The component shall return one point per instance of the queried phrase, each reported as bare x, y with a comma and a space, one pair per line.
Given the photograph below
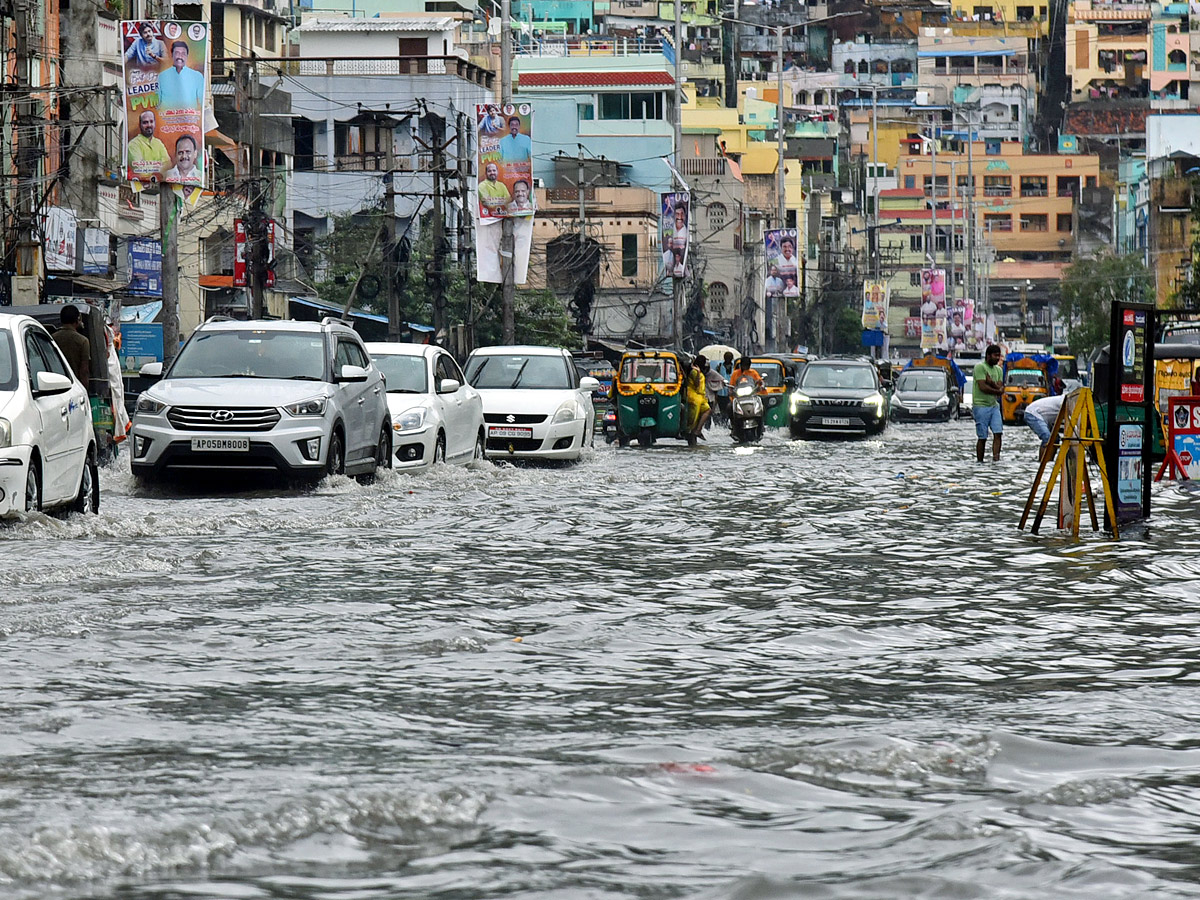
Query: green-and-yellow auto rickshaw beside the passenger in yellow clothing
647, 393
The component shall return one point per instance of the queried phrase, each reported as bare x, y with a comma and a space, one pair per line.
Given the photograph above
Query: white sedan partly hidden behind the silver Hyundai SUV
436, 417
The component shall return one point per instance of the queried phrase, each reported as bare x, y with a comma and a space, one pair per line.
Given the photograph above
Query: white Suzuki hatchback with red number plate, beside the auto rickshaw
536, 404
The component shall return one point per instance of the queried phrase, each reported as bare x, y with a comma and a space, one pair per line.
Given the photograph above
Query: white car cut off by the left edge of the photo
47, 443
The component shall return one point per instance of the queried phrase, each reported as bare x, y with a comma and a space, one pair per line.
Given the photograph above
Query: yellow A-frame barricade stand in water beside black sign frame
1081, 439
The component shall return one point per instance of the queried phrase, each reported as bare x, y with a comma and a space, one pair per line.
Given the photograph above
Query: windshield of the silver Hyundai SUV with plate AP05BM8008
298, 356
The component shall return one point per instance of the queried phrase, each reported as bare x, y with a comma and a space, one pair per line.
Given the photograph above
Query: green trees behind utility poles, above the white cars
356, 245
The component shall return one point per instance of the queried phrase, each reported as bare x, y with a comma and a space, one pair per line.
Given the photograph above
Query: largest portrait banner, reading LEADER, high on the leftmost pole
166, 76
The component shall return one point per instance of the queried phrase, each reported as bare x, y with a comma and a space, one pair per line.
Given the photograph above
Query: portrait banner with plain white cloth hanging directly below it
505, 175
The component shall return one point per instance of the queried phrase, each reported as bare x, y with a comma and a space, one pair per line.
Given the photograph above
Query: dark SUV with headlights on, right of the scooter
838, 397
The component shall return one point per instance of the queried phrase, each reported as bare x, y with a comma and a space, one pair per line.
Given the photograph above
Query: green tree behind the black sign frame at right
1089, 289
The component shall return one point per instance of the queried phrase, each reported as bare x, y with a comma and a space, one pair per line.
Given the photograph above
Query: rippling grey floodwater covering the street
813, 669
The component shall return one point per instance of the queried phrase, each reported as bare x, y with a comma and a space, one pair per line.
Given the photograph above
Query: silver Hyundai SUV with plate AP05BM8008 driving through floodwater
299, 398
